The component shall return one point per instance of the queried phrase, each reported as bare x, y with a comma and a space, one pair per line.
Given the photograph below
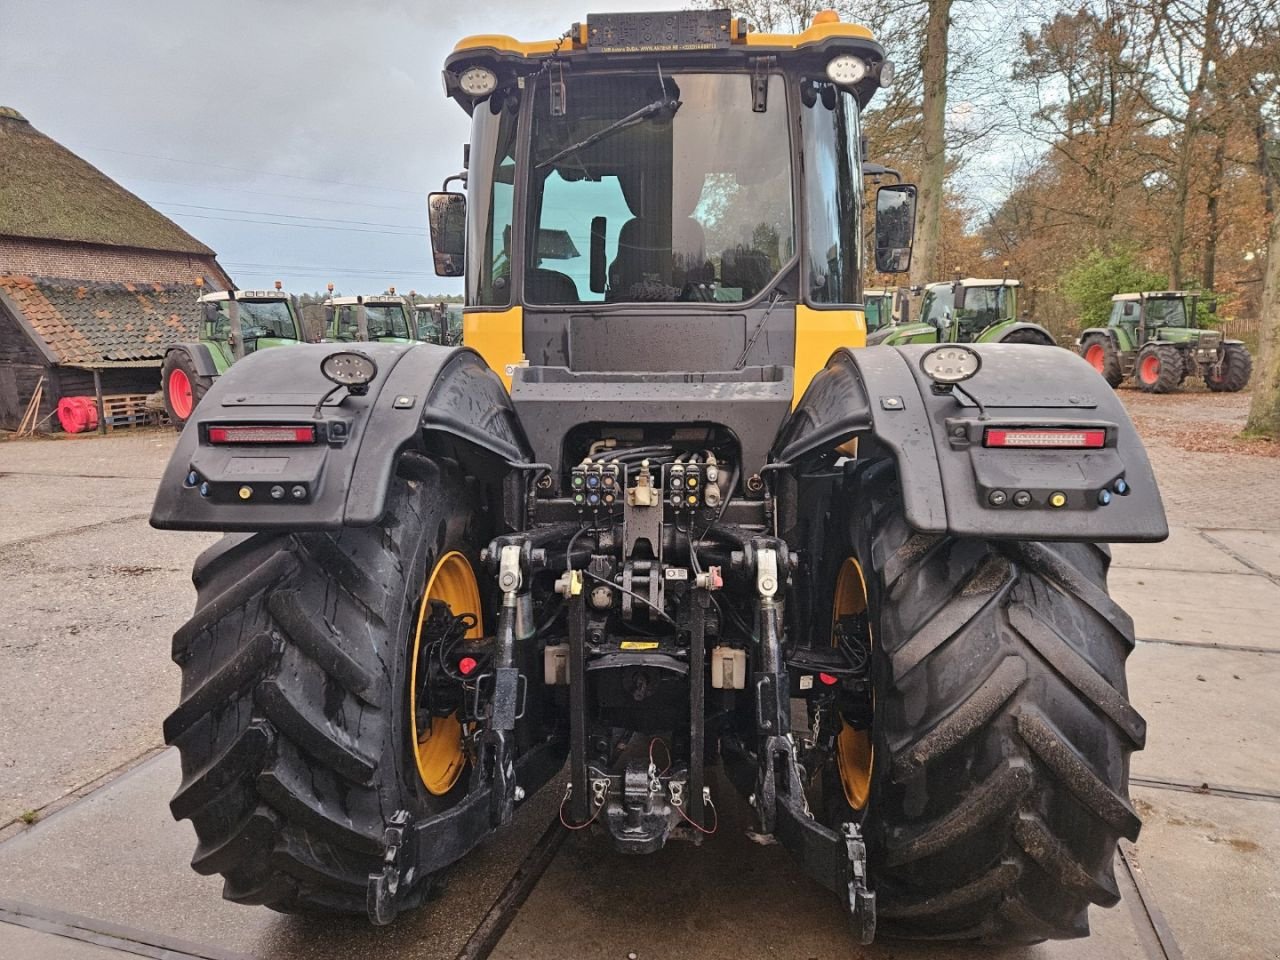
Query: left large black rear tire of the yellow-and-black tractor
295, 724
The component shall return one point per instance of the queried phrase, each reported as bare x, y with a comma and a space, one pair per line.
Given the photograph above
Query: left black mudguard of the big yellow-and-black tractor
342, 478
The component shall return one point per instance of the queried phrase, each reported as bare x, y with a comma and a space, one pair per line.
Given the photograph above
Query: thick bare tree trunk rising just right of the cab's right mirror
925, 266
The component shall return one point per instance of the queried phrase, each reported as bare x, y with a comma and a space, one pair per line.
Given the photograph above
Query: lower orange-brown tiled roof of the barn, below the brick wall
99, 323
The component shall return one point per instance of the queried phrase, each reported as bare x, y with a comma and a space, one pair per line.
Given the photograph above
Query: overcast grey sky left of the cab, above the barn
299, 139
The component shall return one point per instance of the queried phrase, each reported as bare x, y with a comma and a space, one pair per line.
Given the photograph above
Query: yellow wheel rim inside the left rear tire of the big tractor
440, 751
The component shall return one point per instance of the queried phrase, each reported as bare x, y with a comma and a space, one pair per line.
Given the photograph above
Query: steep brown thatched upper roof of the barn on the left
48, 193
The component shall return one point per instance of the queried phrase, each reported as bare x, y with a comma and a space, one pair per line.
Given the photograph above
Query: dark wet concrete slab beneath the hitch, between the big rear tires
730, 898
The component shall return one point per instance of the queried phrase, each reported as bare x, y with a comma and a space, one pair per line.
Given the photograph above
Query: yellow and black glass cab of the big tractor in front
689, 196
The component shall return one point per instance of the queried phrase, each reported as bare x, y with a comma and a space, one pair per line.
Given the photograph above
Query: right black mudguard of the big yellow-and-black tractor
950, 478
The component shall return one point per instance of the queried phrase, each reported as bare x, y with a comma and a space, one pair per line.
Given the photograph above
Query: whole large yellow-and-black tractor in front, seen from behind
662, 525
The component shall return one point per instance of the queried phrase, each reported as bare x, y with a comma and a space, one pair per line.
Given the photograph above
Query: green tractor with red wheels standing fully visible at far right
1156, 340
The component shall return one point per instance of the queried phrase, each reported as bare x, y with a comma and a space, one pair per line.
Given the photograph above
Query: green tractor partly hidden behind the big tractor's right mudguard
968, 310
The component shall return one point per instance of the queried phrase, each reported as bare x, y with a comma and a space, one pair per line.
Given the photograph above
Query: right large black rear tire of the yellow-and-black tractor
1002, 729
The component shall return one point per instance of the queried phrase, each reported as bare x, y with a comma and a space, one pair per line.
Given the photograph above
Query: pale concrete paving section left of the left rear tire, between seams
86, 680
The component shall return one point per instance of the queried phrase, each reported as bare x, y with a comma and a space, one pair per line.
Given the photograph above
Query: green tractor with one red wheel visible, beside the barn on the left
234, 326
